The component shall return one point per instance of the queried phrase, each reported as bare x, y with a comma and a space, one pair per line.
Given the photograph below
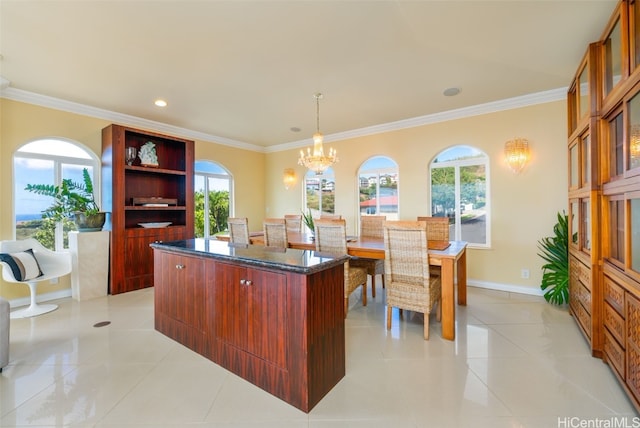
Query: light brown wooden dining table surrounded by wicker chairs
451, 256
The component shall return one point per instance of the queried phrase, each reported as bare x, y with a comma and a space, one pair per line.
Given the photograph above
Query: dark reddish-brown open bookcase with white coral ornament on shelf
147, 203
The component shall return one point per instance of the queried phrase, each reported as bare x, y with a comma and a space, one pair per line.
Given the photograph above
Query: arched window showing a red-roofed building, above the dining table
378, 184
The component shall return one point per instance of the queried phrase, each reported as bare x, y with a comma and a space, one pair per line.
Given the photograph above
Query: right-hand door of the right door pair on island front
266, 313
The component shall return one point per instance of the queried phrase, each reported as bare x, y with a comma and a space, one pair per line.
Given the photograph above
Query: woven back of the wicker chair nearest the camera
406, 253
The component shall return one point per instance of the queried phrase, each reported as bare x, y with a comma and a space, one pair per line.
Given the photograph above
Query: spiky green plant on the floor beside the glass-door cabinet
554, 250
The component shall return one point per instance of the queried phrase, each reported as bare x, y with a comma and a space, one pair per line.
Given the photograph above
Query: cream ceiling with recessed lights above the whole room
247, 71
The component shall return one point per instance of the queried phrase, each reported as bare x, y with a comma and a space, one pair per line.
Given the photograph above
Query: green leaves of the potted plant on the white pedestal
68, 198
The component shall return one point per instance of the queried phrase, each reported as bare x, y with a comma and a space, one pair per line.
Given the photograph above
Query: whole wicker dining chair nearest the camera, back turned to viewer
409, 285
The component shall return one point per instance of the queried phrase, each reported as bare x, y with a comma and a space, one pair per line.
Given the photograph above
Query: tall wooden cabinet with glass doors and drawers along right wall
605, 206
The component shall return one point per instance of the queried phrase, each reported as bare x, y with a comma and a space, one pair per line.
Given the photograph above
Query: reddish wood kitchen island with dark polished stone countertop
272, 316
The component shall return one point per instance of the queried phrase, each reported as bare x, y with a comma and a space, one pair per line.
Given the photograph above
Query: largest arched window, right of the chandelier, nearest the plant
459, 179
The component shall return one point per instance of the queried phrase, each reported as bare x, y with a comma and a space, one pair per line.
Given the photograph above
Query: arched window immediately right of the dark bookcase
213, 198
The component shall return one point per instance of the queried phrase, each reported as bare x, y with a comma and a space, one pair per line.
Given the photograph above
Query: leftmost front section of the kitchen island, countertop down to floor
180, 299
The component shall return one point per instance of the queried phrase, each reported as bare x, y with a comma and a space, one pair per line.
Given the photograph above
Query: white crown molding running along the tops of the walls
461, 113
